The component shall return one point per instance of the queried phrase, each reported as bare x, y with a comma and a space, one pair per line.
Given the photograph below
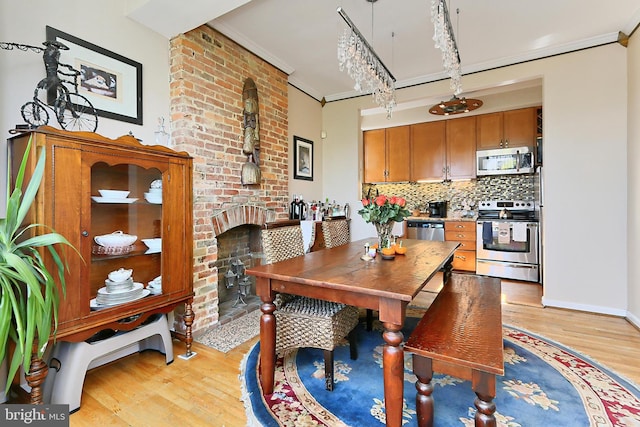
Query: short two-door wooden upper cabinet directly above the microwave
513, 128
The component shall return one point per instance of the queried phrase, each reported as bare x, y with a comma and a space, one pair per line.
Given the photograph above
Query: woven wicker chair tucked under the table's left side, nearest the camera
302, 321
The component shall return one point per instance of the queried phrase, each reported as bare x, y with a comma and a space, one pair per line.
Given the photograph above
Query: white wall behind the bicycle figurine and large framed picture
100, 23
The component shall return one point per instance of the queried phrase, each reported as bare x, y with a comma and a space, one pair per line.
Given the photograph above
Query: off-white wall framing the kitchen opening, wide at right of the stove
585, 122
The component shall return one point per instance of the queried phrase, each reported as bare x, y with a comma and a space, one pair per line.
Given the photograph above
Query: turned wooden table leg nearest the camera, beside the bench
393, 366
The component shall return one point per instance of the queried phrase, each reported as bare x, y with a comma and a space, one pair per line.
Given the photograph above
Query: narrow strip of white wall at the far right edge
634, 179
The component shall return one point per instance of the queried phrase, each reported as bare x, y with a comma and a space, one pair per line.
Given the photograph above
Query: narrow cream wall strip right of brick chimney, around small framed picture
305, 121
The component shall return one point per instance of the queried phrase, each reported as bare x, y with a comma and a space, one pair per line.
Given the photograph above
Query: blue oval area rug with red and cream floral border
545, 384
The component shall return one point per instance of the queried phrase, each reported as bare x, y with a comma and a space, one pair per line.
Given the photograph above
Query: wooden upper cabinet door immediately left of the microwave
461, 148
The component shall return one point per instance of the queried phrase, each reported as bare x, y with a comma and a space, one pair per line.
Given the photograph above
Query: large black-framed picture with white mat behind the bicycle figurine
111, 82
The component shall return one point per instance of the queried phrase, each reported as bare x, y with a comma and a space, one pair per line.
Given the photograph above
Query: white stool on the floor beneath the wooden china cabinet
76, 358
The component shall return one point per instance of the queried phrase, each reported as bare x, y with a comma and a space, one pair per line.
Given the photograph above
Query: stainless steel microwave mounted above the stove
505, 161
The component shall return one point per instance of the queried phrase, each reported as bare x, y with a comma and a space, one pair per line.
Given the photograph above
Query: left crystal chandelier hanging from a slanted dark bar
364, 66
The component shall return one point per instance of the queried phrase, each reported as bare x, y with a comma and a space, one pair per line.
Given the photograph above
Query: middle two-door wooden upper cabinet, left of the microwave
443, 150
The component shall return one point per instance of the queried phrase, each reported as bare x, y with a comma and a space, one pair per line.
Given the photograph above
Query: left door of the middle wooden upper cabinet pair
428, 151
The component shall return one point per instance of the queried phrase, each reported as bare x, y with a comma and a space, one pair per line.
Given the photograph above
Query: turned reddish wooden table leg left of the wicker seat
267, 346
